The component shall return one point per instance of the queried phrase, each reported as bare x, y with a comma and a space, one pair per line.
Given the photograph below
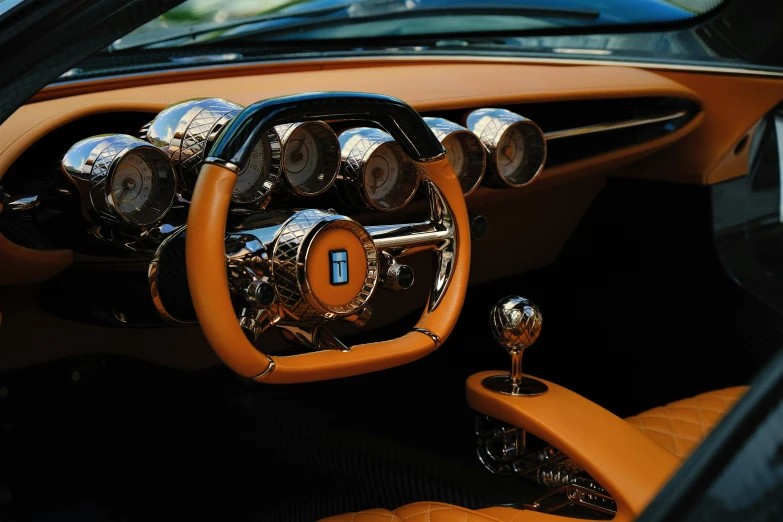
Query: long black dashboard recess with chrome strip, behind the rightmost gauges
576, 130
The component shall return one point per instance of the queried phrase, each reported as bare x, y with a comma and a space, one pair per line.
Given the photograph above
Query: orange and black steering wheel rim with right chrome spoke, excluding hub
446, 233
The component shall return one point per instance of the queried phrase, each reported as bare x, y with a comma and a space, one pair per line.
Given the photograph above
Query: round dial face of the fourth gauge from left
390, 180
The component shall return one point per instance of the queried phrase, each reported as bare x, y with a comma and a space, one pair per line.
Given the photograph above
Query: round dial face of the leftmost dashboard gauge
133, 184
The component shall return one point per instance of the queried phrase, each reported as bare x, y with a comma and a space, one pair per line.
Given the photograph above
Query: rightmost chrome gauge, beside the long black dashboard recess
516, 145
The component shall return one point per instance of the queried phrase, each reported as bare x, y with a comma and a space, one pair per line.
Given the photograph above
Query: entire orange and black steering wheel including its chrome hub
293, 265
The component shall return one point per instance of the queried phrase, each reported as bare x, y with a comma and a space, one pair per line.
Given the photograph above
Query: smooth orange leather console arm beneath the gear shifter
628, 464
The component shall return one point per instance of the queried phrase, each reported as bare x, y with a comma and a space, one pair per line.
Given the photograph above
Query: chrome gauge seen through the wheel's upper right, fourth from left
376, 170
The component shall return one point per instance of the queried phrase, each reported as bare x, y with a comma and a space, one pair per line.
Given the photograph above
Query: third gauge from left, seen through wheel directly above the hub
310, 157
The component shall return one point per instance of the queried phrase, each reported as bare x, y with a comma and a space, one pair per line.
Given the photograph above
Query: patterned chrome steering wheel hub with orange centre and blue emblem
324, 266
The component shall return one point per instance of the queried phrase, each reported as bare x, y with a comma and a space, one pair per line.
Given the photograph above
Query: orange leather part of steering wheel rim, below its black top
205, 252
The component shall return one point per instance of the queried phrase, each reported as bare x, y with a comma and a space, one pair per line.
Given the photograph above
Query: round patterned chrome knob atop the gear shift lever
515, 323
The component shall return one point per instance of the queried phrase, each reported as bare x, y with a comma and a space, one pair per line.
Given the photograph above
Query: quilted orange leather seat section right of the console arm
682, 425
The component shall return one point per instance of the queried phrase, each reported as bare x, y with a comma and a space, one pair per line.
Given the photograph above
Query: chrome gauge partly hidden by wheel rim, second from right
463, 149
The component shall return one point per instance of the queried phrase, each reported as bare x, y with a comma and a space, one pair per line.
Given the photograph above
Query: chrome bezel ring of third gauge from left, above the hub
329, 162
